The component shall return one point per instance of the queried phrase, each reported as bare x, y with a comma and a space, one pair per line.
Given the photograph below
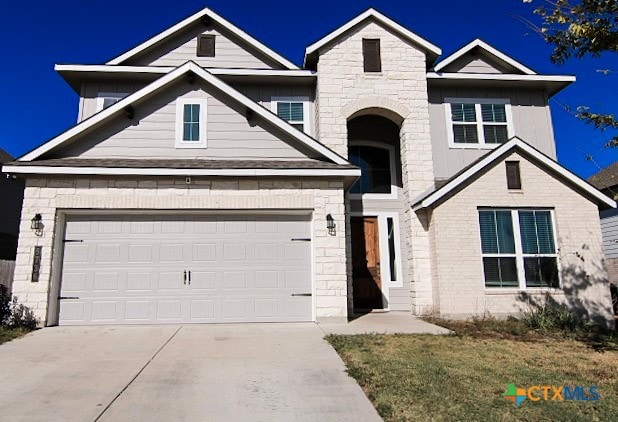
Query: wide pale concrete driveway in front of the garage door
256, 372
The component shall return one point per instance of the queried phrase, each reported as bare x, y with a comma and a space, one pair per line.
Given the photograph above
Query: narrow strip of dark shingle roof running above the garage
183, 164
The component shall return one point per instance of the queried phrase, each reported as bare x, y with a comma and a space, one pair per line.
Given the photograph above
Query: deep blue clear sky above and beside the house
35, 35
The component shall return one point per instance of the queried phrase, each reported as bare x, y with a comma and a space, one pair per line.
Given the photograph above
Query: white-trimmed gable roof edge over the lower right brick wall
459, 180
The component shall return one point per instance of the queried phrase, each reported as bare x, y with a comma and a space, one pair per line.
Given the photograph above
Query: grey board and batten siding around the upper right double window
531, 122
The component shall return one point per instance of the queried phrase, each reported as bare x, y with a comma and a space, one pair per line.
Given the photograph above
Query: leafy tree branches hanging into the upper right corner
577, 29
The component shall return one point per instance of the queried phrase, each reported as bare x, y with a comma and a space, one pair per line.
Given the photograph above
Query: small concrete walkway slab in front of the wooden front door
384, 323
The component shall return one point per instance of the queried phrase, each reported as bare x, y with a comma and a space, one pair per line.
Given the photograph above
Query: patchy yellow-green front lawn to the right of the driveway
462, 377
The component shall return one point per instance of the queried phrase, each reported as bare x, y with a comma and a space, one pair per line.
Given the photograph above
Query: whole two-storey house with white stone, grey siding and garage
209, 179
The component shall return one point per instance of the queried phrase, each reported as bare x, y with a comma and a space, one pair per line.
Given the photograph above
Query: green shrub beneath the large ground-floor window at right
551, 316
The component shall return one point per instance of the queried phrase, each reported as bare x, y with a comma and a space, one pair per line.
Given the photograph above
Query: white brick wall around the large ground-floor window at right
457, 247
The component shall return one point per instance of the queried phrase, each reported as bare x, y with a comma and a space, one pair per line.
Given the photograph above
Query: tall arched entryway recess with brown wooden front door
375, 202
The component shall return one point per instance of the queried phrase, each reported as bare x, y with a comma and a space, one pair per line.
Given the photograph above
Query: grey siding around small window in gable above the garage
151, 133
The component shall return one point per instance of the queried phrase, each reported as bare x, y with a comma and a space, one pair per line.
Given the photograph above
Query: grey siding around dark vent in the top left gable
181, 48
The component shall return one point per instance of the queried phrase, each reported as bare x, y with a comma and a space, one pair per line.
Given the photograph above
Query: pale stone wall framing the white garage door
321, 197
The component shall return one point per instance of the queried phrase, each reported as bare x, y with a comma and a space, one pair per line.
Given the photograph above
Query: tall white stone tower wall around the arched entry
398, 92
